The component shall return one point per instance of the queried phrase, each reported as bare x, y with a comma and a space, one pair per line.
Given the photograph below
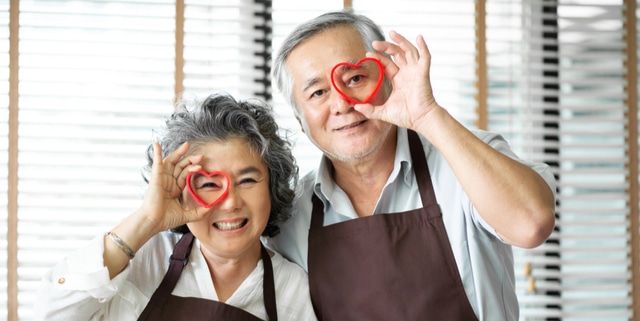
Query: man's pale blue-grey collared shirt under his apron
485, 263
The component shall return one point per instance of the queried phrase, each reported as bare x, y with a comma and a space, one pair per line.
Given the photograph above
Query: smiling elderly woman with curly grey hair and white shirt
219, 178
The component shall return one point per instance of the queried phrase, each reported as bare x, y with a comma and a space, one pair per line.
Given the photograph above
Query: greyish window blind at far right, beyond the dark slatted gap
595, 267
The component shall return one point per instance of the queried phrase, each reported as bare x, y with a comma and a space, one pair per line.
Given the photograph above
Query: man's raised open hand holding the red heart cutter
411, 99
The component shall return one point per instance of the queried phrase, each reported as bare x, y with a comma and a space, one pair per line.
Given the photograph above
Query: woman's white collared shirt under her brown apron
79, 288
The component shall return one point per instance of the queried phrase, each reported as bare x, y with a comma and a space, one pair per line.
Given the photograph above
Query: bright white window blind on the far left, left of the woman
95, 77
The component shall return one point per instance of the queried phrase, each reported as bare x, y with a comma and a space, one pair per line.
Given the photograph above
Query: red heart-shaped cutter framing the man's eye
370, 74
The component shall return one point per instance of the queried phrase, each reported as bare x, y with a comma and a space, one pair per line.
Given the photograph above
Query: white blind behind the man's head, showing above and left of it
287, 14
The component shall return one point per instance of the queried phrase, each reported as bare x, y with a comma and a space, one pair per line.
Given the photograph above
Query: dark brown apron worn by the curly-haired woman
164, 306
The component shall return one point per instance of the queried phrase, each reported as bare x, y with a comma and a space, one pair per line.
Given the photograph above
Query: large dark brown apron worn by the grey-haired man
391, 267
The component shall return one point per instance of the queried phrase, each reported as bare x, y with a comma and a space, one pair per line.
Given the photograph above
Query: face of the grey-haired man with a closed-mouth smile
326, 117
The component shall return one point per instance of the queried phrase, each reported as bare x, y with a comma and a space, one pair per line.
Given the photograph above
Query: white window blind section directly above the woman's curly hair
220, 50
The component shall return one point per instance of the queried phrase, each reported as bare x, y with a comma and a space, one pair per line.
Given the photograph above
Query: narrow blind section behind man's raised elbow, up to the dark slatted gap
522, 98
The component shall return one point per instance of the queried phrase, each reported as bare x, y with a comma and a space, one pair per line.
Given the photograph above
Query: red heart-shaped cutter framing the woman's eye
210, 195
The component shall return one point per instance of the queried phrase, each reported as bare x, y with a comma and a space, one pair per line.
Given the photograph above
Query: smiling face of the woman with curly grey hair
233, 226
